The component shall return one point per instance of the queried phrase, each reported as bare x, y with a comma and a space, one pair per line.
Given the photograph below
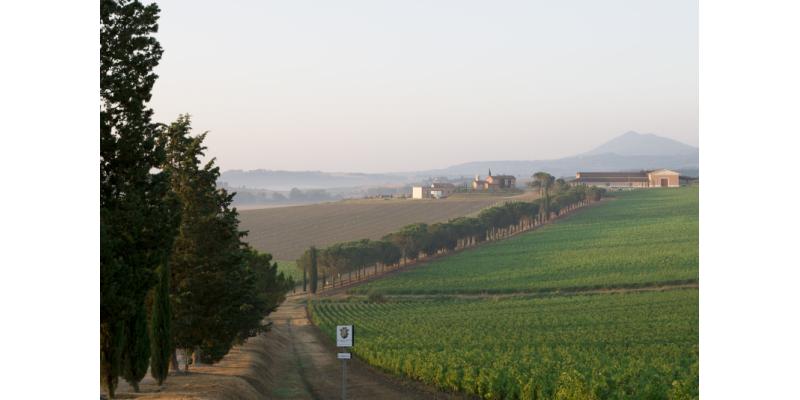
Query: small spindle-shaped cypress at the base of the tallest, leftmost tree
136, 348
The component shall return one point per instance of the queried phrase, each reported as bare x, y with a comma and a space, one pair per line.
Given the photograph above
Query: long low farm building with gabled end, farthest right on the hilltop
641, 179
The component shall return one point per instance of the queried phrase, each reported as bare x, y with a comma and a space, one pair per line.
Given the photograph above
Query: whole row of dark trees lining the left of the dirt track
175, 273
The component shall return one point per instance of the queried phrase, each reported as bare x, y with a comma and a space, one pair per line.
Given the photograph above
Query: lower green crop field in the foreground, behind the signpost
606, 346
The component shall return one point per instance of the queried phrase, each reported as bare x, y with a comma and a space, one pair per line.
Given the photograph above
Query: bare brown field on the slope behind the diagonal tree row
287, 232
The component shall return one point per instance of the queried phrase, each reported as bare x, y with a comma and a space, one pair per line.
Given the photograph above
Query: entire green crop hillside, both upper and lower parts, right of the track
549, 340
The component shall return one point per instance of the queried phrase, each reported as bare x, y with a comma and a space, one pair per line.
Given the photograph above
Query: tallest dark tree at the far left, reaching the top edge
135, 222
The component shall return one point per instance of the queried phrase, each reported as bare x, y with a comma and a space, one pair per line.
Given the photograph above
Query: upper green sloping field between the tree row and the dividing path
638, 238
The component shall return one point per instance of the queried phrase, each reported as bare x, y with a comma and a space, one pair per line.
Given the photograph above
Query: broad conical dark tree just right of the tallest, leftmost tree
215, 286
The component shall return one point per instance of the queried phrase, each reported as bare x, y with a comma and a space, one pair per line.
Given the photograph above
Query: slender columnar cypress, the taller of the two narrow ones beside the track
161, 327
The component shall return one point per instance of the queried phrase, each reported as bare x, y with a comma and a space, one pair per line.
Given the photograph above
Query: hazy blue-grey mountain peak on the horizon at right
633, 143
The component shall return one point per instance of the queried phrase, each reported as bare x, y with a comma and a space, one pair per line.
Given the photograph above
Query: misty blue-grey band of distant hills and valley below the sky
630, 151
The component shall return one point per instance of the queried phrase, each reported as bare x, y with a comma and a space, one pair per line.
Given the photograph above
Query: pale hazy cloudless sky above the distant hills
377, 86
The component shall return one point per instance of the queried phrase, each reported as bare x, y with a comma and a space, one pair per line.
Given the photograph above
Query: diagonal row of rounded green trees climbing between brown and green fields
330, 265
